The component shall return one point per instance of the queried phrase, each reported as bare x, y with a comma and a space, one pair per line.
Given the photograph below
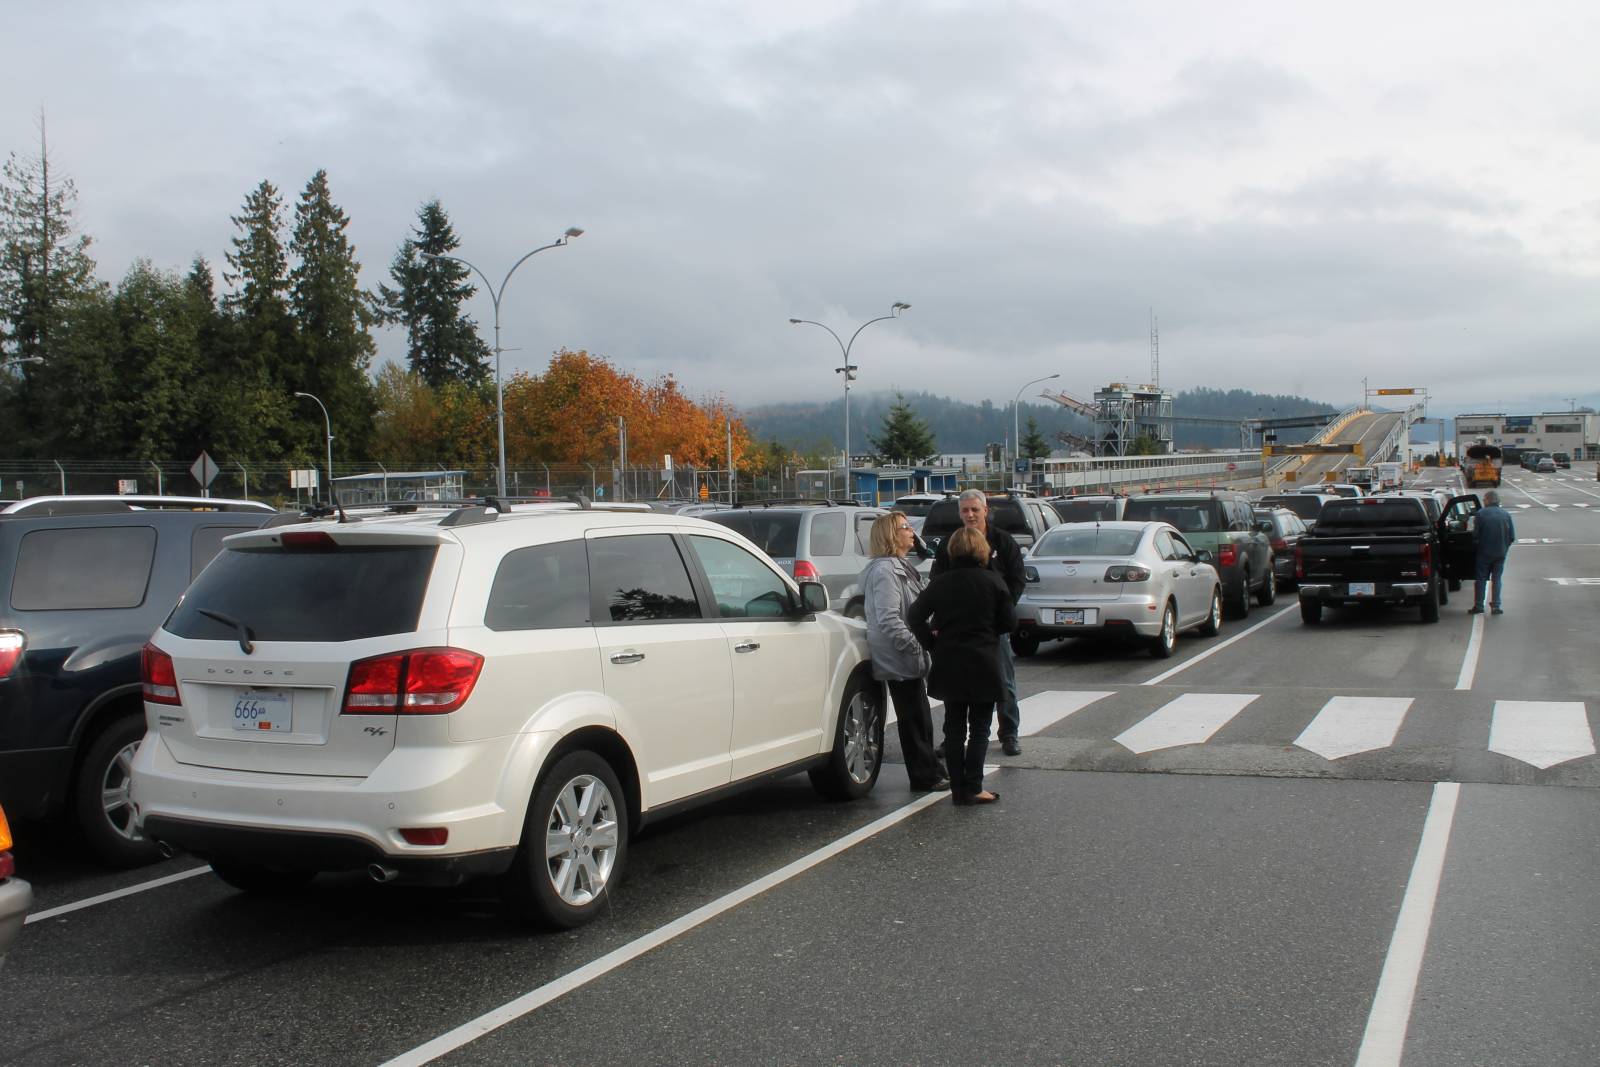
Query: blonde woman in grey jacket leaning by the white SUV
898, 660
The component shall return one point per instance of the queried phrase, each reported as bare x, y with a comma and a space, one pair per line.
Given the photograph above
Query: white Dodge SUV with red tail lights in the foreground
441, 695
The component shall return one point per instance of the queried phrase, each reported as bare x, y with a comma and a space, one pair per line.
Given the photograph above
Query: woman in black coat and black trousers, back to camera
970, 609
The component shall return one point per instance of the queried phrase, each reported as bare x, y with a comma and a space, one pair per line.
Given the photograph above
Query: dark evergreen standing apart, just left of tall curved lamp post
442, 345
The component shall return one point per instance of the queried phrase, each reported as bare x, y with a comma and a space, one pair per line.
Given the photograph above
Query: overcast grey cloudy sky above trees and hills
1306, 194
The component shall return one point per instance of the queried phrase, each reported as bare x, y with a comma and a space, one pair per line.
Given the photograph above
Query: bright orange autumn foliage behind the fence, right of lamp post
569, 417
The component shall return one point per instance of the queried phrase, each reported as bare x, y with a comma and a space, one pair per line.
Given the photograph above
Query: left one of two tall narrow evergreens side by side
260, 351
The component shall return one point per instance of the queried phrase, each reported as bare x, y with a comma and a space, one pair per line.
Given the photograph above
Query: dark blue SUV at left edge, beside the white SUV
82, 588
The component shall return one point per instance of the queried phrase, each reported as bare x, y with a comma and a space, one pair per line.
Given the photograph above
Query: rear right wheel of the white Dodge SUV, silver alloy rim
574, 844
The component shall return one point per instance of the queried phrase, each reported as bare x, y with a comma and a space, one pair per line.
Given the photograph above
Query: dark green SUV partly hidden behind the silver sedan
1223, 524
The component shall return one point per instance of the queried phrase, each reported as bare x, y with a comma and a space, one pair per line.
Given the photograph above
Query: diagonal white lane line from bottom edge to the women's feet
577, 980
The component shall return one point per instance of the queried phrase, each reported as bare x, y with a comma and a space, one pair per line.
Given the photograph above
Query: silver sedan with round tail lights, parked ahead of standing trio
1134, 578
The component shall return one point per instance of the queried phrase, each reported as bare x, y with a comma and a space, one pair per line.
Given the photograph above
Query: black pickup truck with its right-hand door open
1385, 549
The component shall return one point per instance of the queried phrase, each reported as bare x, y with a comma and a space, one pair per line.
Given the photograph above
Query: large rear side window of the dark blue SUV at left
92, 567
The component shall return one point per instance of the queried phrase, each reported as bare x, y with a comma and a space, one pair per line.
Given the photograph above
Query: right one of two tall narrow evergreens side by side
332, 316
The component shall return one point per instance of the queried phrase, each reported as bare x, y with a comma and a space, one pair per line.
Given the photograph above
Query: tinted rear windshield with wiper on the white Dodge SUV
337, 596
